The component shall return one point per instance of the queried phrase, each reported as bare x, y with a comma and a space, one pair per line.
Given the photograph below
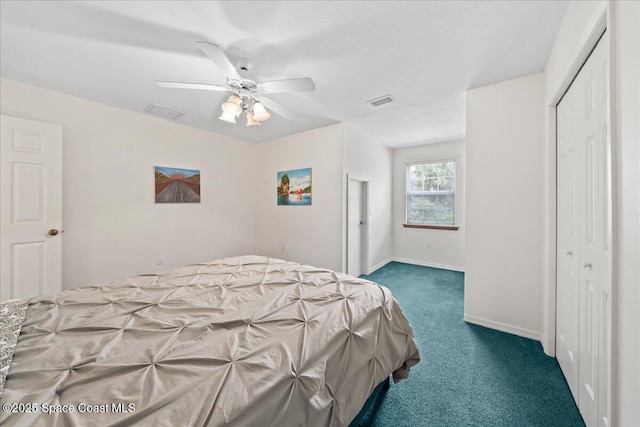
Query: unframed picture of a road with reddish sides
175, 185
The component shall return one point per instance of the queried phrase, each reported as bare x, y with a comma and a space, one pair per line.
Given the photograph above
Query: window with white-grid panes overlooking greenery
431, 193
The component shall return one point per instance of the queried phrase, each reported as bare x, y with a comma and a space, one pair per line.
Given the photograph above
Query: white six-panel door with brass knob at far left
30, 208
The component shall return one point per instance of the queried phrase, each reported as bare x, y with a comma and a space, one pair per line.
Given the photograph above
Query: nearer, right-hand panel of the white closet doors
595, 235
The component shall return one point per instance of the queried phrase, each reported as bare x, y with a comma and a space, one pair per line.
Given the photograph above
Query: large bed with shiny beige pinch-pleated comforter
242, 341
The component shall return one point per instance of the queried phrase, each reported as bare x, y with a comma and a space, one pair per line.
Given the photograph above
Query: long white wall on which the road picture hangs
112, 227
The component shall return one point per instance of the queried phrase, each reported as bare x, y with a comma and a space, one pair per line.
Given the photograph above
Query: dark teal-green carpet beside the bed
468, 375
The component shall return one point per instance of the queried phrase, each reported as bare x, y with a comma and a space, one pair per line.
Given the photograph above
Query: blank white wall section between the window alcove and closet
503, 278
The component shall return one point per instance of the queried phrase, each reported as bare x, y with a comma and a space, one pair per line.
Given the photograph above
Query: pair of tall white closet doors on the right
584, 239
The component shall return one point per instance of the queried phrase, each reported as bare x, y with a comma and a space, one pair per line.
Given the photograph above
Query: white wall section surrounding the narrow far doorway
369, 160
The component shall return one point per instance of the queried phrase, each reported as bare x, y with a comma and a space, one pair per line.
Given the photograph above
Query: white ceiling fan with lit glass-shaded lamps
247, 92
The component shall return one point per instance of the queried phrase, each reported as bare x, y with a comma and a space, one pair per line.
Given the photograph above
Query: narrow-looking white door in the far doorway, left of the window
356, 226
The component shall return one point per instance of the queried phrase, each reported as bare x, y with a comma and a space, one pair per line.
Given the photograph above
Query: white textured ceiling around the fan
425, 53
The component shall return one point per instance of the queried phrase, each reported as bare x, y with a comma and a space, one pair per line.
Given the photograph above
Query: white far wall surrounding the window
411, 244
